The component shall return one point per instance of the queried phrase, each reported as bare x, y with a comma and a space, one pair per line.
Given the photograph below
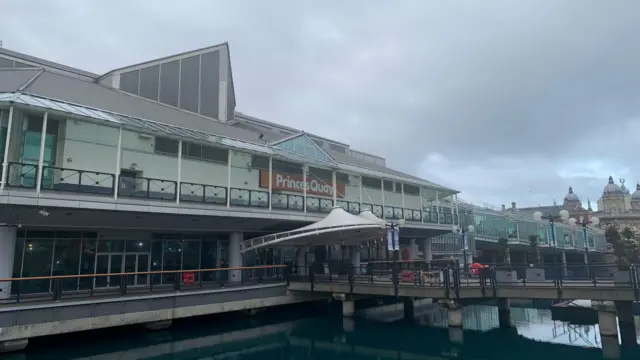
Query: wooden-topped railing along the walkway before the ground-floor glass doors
68, 287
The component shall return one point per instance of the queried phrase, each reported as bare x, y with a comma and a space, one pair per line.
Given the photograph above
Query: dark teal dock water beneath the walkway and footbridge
284, 335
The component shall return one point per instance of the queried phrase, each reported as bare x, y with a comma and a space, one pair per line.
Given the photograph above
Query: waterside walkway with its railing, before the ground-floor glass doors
153, 306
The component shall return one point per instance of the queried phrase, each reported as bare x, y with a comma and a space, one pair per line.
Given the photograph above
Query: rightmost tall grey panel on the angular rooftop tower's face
210, 84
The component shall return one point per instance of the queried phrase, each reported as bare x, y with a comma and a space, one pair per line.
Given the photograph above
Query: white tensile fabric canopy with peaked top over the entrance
339, 227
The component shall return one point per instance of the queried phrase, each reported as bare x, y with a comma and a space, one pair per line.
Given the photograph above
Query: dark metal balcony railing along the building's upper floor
90, 182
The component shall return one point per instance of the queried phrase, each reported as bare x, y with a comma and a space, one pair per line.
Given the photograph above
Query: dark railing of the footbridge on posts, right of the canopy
452, 277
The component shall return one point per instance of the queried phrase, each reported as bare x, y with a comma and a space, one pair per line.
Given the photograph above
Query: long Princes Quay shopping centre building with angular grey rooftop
150, 167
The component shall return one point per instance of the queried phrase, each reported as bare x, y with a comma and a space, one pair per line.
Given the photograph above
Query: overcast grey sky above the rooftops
504, 100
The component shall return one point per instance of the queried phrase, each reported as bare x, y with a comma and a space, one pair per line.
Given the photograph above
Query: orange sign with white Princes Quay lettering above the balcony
294, 183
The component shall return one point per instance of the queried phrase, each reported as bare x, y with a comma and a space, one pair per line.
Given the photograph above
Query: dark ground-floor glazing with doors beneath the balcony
50, 253
